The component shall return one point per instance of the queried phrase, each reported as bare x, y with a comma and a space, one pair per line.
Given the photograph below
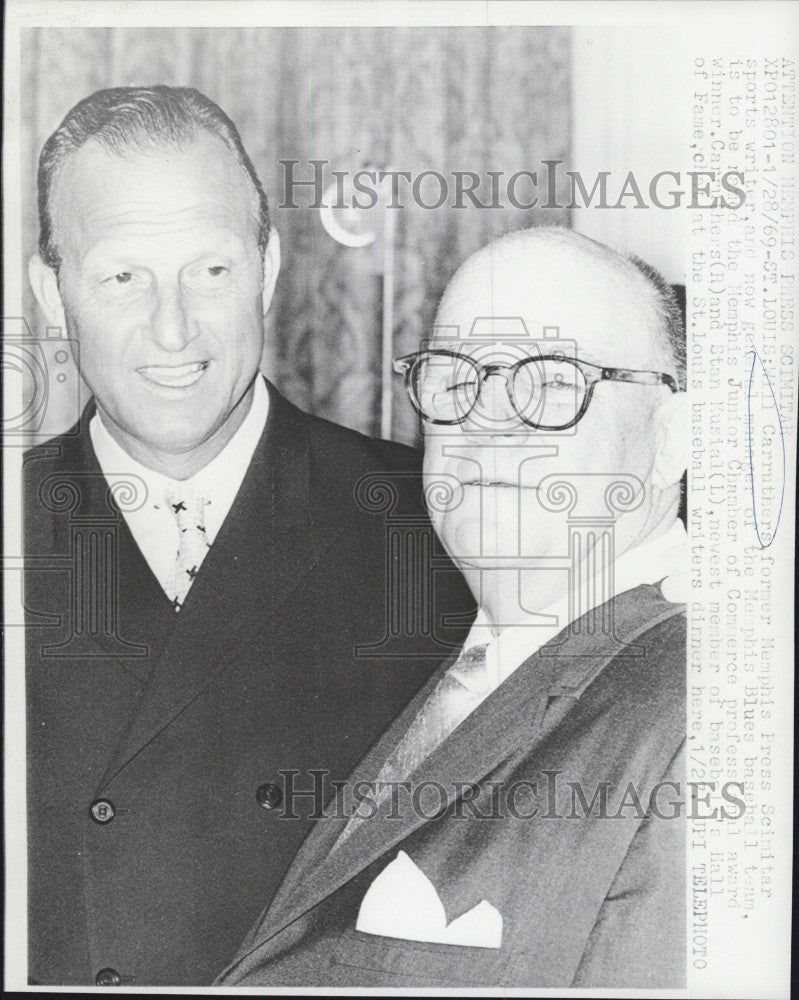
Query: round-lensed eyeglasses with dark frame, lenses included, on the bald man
550, 392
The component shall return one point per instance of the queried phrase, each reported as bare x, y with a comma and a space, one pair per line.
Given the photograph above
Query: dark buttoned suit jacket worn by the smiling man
179, 720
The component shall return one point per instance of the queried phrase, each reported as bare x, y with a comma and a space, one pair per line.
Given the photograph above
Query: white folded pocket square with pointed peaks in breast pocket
402, 902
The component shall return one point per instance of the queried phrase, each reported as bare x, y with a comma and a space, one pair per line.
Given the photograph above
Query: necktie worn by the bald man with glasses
460, 690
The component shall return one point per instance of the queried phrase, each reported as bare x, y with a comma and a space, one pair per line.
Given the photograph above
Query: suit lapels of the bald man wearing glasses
511, 717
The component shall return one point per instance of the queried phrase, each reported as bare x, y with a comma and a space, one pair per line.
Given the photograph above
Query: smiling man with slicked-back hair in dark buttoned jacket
205, 574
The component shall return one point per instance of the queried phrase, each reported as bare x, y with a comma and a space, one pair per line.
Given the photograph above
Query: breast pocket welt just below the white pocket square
414, 963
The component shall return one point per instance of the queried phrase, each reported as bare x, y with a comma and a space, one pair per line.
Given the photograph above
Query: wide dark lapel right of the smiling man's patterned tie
267, 543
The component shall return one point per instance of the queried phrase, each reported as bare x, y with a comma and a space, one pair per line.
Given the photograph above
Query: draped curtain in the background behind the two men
412, 99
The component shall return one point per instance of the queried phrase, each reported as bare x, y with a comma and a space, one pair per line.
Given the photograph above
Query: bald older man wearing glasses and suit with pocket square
521, 824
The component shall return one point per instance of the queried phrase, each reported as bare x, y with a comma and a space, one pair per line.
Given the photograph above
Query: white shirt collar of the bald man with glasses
662, 558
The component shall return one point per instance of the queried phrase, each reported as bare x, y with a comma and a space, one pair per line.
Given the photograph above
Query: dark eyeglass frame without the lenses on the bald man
593, 375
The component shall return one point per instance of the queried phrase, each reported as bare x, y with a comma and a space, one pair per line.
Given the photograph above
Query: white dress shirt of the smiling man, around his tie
153, 525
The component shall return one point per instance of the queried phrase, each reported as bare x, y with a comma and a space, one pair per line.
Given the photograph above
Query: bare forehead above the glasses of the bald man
588, 306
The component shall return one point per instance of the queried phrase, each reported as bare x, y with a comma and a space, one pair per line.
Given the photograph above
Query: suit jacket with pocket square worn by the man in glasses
588, 897
